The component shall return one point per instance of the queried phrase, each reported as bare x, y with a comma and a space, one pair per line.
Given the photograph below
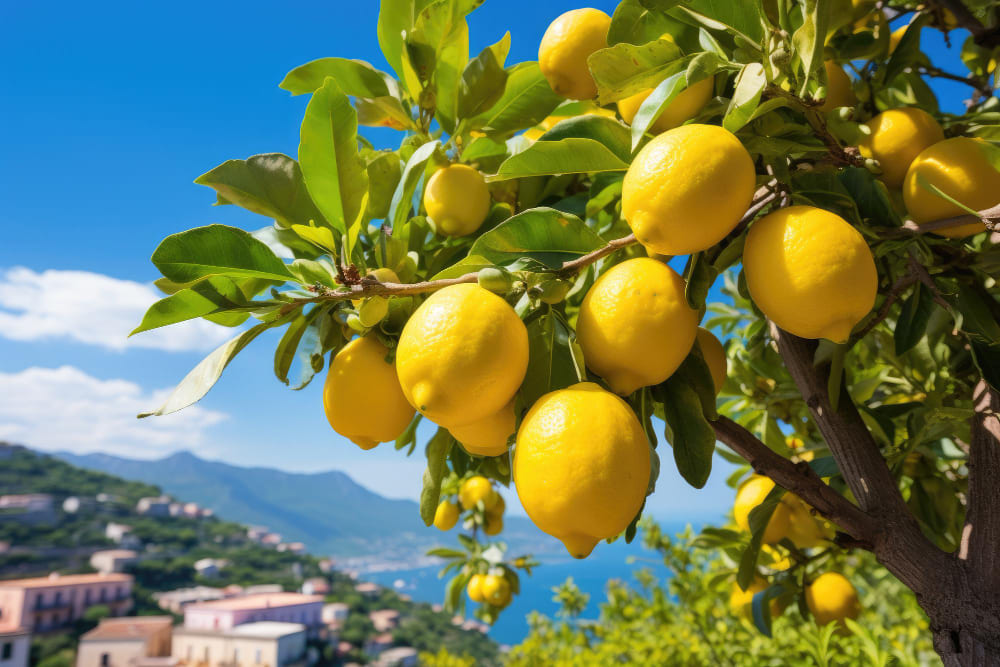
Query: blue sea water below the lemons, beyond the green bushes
608, 561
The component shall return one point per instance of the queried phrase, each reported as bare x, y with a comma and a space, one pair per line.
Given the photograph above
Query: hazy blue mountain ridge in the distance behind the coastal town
327, 511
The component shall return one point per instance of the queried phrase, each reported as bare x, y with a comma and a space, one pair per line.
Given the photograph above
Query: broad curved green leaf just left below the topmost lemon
527, 99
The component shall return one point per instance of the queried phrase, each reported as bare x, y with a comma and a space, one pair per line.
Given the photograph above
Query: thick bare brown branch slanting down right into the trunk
799, 479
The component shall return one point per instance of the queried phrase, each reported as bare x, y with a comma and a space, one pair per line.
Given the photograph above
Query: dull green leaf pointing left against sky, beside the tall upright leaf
270, 184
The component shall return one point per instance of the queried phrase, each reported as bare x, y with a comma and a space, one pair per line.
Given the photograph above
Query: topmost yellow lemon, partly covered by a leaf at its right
565, 47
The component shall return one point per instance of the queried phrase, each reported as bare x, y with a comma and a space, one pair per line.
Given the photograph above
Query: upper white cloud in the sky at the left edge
94, 309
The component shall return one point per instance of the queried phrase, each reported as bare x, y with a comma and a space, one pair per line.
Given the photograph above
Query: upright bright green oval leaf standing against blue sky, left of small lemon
328, 152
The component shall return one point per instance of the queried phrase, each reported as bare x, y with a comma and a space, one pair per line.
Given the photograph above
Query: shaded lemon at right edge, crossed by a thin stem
959, 167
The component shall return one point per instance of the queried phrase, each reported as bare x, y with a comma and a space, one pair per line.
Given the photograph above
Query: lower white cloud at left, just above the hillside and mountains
66, 409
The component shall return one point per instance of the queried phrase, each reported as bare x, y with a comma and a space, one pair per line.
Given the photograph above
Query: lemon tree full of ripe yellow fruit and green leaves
689, 230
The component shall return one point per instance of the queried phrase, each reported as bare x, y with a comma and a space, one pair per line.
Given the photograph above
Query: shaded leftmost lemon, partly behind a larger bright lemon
362, 397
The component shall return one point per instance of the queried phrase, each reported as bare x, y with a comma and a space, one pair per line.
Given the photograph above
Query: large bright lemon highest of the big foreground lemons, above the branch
687, 189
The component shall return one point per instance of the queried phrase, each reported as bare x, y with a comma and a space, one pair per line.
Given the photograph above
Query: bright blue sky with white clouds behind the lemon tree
109, 112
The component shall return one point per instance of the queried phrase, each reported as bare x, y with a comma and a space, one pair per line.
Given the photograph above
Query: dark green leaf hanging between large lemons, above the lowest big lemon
551, 363
